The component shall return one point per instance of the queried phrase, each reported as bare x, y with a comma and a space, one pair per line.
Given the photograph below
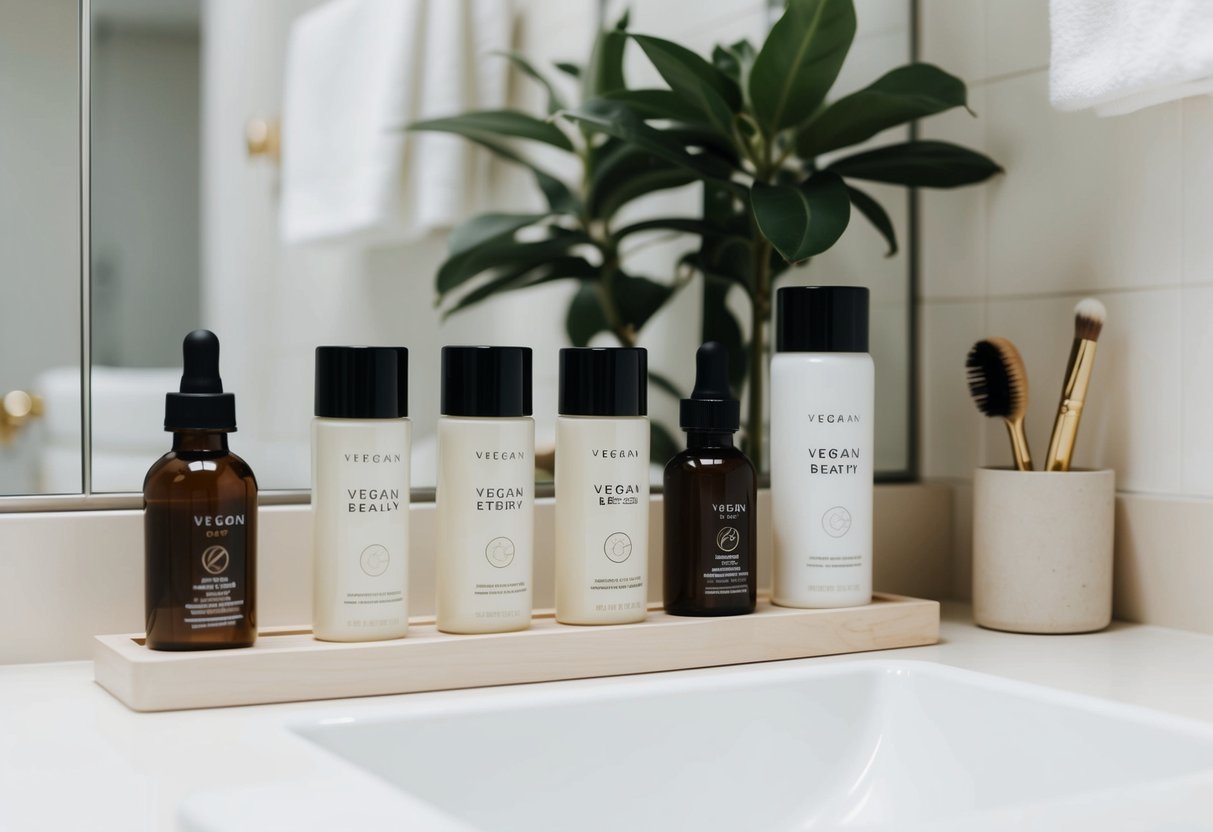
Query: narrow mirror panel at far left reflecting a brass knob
41, 449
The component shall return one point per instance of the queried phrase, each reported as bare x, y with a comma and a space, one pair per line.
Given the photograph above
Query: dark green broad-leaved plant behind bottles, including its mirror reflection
751, 126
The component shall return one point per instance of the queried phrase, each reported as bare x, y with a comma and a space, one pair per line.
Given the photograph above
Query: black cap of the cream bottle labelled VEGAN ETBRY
487, 381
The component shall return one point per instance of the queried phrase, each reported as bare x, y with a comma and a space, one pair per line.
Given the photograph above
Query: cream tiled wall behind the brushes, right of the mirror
1119, 209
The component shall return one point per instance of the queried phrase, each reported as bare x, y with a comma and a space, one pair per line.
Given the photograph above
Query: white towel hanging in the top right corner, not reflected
1120, 56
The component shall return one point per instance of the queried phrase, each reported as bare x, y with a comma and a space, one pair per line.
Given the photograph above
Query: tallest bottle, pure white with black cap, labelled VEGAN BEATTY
822, 446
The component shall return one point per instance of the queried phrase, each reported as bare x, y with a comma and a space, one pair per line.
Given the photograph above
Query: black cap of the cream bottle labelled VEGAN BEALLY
362, 383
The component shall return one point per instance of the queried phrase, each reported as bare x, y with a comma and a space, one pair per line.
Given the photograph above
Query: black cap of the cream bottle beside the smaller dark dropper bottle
605, 381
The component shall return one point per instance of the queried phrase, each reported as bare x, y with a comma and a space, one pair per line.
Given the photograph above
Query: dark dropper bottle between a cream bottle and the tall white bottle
711, 503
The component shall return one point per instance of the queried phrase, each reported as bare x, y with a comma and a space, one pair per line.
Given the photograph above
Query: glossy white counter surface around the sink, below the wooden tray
73, 757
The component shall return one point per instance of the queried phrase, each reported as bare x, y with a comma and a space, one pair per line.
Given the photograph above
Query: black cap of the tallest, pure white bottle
822, 320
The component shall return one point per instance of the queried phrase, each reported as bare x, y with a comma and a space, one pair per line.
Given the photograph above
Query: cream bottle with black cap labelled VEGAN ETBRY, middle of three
486, 491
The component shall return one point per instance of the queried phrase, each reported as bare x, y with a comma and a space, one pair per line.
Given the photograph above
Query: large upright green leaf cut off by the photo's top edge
800, 61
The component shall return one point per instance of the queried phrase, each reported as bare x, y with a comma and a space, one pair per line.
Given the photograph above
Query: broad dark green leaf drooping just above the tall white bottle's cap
804, 220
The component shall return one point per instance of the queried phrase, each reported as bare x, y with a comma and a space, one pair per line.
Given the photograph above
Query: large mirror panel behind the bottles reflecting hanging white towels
201, 218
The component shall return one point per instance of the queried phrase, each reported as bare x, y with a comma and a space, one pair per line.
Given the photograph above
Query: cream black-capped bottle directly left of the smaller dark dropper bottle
602, 487
